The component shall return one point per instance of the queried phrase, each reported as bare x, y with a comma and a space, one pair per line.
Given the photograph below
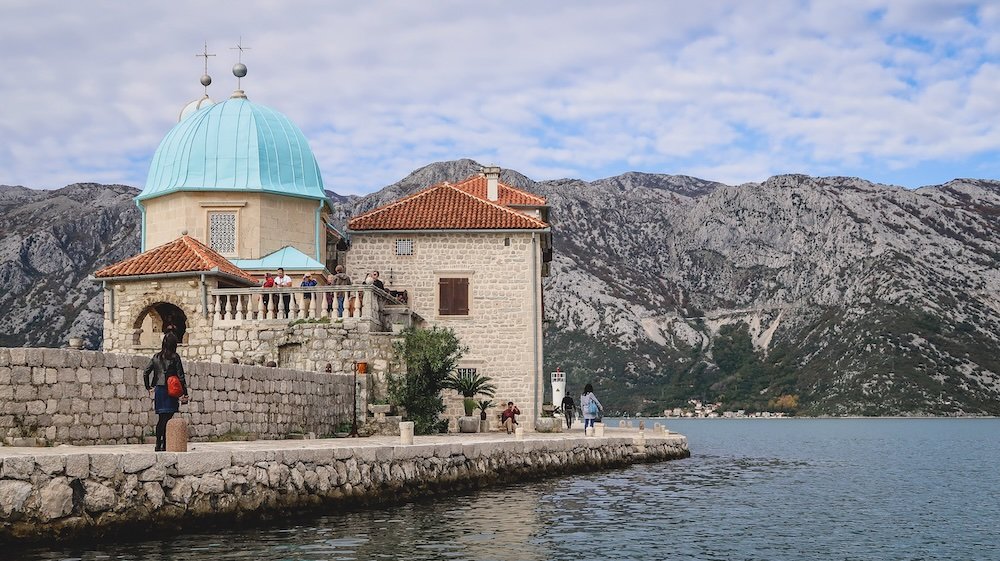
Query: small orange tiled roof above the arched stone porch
185, 254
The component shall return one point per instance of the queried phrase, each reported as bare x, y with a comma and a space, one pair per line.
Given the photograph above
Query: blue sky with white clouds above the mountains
898, 91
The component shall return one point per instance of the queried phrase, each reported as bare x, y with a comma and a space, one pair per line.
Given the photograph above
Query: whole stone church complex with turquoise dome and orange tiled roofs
234, 192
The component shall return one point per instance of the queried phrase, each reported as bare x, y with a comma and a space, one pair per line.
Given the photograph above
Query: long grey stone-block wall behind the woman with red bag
64, 396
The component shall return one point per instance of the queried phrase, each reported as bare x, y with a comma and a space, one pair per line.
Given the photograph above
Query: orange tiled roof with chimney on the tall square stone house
452, 207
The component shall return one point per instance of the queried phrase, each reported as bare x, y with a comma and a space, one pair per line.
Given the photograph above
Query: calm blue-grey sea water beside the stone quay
864, 489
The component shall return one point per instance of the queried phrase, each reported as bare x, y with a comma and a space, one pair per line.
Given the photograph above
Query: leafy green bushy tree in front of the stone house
430, 356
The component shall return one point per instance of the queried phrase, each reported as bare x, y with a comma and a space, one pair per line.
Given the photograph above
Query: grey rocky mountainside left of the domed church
51, 241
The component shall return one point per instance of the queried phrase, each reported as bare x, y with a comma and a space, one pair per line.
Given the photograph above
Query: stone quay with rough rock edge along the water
91, 491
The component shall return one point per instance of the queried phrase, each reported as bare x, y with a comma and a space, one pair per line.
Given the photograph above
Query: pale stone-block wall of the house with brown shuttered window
503, 327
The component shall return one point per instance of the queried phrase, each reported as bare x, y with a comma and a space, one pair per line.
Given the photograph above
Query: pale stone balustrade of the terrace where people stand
346, 303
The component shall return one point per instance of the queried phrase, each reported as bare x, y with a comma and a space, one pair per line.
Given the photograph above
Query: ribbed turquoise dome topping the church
235, 145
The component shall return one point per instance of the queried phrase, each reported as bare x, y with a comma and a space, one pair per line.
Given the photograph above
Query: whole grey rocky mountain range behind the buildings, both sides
821, 295
